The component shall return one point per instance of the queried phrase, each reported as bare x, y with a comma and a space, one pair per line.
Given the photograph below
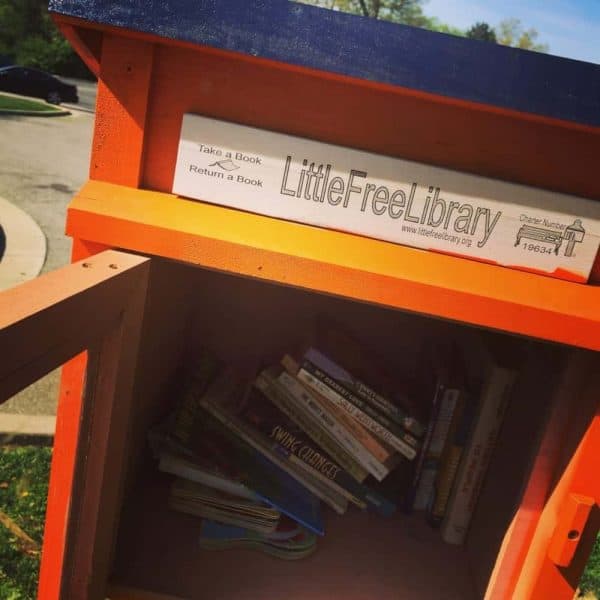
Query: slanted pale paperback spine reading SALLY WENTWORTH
315, 378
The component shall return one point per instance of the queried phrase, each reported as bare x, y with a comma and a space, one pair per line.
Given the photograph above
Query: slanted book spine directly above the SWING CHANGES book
284, 400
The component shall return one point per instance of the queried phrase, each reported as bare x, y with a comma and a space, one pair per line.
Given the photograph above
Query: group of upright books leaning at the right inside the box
468, 409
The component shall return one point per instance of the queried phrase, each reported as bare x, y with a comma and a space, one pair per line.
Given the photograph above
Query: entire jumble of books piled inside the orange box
257, 457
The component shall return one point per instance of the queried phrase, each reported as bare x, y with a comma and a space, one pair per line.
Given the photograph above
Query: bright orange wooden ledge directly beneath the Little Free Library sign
337, 263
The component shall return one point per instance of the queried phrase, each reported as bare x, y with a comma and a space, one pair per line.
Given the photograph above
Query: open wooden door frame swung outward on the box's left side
92, 310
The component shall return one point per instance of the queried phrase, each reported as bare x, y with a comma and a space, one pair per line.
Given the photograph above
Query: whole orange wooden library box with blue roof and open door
154, 273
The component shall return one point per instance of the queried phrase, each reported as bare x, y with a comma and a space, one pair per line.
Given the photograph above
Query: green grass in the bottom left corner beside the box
23, 490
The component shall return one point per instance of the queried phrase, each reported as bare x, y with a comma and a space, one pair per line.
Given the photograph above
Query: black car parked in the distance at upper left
32, 82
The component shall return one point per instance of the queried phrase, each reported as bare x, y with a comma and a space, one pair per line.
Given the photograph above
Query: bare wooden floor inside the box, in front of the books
361, 556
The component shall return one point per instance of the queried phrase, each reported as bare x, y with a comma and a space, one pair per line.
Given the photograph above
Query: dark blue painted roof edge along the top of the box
365, 48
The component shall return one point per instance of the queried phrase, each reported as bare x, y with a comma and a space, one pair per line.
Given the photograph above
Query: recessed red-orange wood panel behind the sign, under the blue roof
387, 120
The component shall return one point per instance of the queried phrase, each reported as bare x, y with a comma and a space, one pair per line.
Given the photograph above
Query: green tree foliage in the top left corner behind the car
28, 37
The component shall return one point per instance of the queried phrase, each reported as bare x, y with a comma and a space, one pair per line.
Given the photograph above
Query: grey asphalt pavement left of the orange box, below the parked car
43, 162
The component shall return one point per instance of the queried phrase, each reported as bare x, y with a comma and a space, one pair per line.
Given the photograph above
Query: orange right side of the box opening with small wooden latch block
552, 535
